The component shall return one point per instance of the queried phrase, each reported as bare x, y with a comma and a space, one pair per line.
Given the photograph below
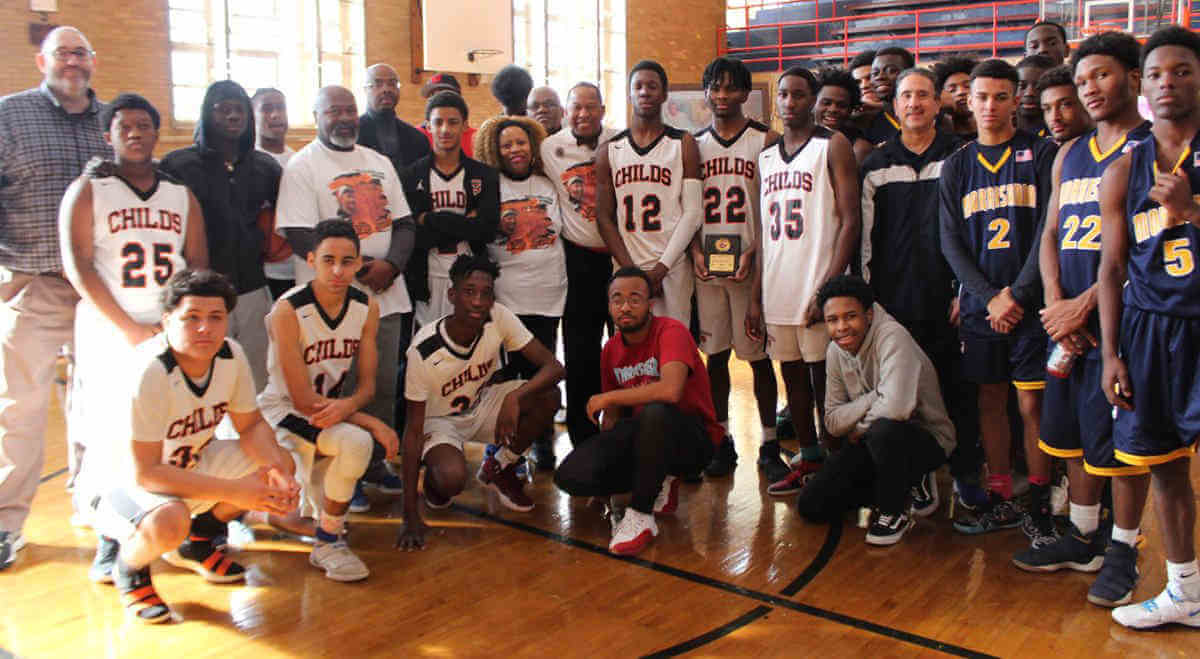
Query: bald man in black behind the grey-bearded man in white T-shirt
381, 129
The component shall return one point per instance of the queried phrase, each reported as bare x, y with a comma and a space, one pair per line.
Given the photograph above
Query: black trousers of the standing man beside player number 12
584, 323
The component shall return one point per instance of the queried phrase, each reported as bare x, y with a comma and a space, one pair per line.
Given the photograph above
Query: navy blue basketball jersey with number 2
1001, 194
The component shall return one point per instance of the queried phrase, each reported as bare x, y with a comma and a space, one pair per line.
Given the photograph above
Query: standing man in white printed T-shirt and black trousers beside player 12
569, 159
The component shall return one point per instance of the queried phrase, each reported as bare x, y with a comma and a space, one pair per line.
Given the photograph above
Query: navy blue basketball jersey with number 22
1079, 207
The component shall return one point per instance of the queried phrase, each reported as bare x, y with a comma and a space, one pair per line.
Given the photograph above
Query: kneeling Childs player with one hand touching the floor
457, 393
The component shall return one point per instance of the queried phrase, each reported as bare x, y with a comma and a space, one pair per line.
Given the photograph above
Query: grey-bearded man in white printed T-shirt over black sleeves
317, 182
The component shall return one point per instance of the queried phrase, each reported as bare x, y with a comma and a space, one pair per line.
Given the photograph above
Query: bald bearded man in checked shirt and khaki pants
50, 134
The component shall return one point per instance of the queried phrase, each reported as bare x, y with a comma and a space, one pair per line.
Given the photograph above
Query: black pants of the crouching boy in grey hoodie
877, 471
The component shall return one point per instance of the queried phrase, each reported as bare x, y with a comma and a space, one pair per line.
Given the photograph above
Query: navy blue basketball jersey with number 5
1163, 277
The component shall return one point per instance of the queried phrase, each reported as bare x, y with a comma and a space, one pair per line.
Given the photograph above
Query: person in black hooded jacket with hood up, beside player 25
235, 183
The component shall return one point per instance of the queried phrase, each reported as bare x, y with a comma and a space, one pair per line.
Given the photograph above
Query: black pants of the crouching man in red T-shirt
637, 456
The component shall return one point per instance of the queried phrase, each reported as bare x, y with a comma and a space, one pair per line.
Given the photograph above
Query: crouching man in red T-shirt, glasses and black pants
658, 421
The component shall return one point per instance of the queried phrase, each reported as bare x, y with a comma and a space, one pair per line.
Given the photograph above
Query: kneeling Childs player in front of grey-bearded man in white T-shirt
317, 332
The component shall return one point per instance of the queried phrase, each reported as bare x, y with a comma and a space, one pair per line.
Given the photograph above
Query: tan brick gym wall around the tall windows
131, 43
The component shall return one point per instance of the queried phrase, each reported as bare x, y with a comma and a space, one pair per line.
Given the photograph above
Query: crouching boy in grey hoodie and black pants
883, 396
